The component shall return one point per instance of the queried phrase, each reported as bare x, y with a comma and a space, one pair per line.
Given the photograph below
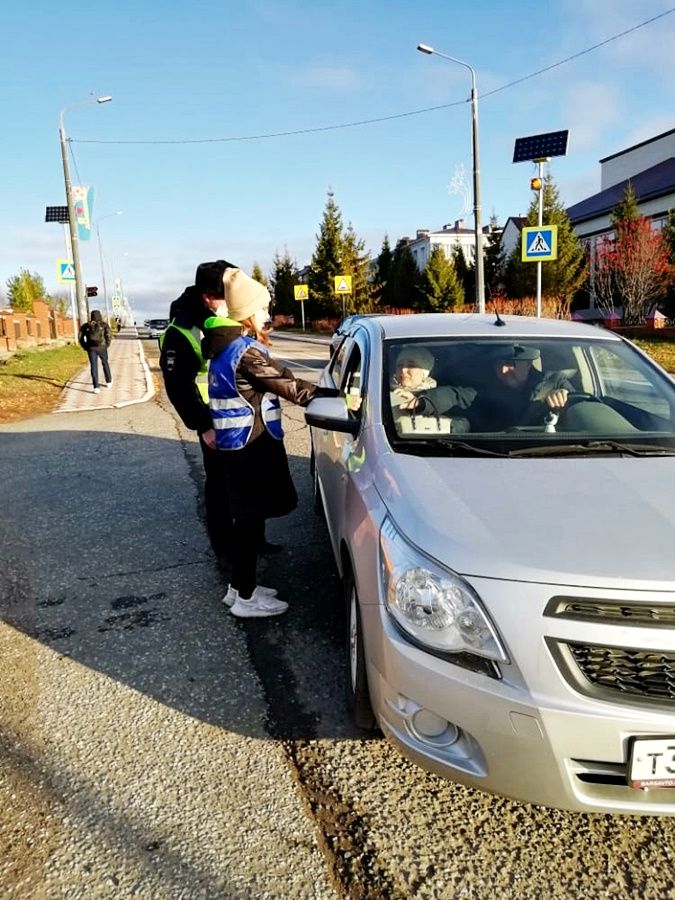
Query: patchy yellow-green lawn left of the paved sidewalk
31, 381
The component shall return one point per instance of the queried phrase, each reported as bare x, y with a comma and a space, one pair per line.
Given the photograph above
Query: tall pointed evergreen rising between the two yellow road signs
326, 263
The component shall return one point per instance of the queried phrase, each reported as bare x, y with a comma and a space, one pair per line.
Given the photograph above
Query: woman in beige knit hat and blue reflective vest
245, 385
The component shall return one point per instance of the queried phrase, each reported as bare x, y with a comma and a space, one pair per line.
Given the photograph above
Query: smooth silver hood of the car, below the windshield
590, 522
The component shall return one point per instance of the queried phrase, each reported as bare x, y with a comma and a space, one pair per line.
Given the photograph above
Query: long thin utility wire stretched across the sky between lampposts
414, 112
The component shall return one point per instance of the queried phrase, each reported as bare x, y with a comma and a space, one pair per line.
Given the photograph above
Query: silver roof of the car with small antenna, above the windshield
432, 325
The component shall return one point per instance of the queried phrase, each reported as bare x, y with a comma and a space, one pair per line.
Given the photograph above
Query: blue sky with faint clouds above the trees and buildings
207, 71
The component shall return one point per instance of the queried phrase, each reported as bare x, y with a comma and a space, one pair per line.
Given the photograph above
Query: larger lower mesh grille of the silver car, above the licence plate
622, 671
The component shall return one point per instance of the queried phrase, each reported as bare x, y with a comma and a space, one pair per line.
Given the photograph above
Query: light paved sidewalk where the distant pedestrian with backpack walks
132, 381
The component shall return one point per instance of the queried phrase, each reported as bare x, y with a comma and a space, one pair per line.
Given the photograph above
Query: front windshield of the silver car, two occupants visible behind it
525, 394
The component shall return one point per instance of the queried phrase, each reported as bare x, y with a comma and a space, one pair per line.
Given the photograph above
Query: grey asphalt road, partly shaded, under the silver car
153, 746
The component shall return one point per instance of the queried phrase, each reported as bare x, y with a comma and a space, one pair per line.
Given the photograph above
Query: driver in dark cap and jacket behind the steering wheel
521, 394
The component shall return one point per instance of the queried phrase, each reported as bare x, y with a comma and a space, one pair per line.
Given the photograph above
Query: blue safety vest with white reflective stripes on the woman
232, 415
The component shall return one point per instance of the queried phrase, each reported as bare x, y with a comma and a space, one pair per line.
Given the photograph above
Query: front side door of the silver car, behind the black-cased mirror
337, 452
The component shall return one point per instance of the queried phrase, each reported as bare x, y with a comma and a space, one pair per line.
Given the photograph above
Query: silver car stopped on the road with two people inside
504, 527
